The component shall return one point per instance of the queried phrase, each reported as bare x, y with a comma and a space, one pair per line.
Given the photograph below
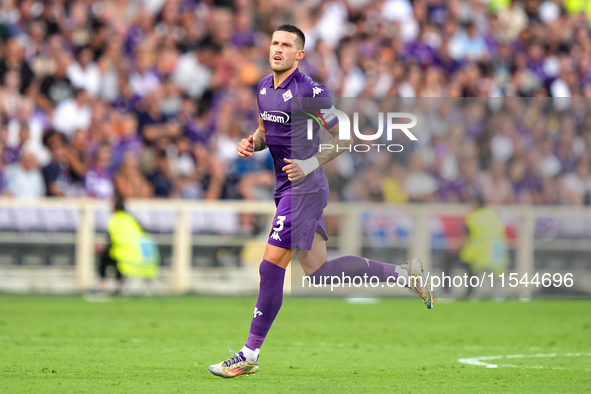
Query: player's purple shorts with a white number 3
297, 219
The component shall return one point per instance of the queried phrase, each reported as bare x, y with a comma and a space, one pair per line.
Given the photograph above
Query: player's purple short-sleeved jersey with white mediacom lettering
282, 131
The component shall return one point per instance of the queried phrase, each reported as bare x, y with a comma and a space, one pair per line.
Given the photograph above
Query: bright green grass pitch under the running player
163, 345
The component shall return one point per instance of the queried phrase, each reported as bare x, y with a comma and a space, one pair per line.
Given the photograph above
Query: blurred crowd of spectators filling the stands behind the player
149, 98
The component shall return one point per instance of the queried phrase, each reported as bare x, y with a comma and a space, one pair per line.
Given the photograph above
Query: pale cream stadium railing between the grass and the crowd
203, 241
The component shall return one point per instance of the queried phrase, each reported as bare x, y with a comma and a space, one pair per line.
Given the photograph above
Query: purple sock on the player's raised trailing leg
350, 266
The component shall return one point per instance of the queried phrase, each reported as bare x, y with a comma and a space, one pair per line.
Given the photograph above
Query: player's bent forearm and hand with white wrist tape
297, 169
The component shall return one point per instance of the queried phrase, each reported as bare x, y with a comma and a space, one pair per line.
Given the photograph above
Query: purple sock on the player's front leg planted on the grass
268, 303
